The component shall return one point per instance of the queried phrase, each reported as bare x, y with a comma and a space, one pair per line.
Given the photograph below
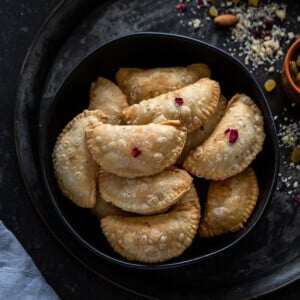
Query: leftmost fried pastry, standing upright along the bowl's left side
74, 168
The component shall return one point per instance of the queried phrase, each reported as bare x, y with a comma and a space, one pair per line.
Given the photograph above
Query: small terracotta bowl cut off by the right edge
288, 84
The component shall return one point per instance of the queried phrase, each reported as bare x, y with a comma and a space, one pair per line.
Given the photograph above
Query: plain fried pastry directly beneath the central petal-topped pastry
145, 195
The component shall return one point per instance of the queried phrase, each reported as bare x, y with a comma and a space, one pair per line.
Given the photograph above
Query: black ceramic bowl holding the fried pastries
147, 50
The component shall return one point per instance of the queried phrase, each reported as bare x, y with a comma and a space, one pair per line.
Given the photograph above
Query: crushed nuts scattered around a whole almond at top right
259, 38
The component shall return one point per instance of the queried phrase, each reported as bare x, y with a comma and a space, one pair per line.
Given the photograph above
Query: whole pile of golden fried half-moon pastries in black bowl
131, 157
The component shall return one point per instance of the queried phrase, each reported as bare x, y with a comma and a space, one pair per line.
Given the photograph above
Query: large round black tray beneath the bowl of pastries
268, 258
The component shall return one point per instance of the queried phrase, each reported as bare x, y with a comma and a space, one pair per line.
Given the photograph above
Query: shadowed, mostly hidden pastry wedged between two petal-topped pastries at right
199, 135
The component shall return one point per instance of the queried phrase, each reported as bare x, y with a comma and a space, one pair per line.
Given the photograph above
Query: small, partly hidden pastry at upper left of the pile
108, 97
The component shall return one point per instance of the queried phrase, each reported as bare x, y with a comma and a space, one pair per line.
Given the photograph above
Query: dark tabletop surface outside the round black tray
19, 23
